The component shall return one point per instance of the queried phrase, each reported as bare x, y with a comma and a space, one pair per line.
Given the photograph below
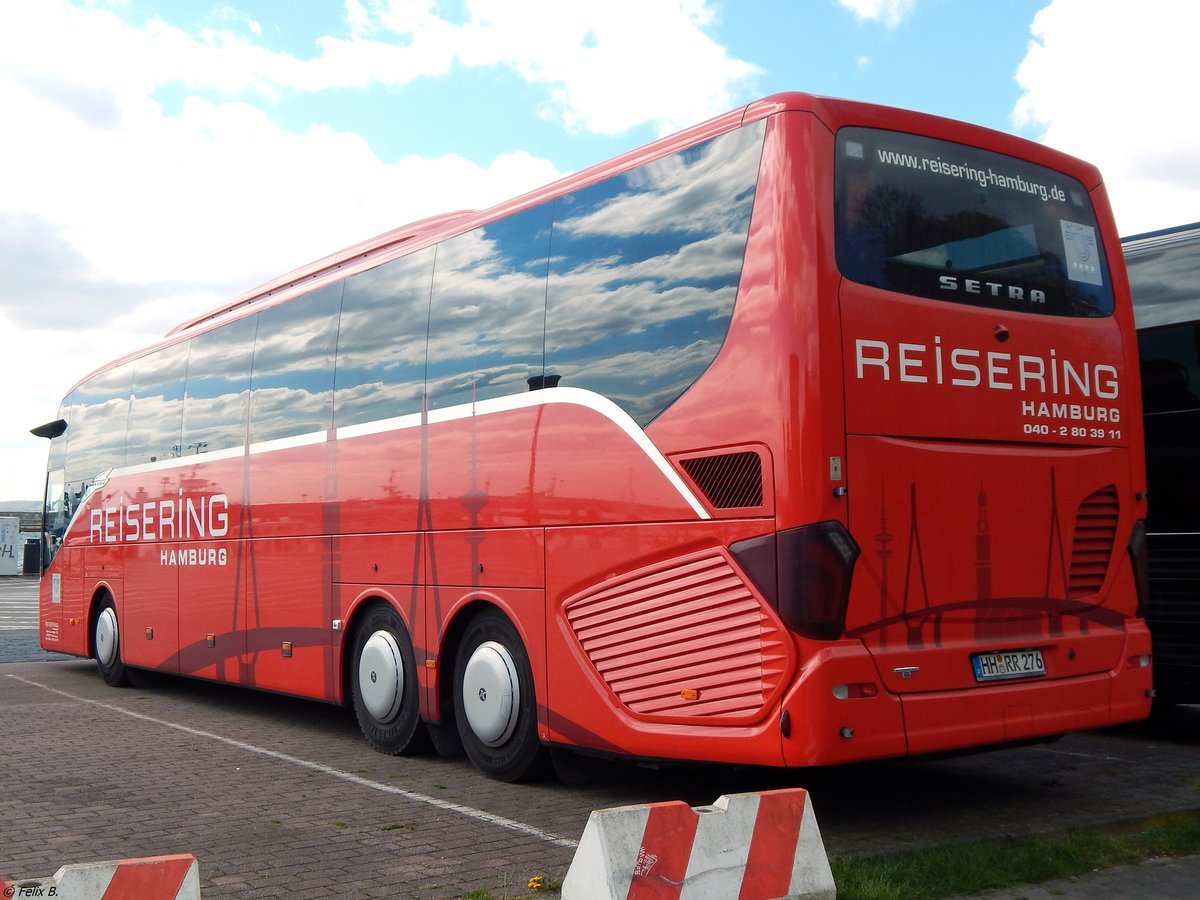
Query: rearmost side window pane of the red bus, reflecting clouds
645, 269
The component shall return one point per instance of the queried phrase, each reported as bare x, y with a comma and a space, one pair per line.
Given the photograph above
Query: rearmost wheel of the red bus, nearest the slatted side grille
495, 704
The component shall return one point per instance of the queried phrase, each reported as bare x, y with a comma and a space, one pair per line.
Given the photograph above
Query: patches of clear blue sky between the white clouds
819, 46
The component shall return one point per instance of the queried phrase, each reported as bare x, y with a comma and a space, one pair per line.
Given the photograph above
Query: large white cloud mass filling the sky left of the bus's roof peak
123, 213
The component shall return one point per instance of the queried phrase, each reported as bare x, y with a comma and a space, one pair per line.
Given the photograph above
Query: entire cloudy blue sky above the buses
163, 157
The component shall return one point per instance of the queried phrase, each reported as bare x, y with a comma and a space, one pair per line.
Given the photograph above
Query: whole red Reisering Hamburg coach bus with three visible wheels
806, 436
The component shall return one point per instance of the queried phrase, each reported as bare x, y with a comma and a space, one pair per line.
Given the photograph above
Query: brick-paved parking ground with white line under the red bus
283, 797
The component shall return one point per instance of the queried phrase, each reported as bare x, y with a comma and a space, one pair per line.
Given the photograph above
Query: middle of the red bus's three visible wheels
385, 682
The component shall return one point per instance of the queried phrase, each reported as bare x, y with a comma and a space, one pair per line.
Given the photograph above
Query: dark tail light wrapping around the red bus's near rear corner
806, 574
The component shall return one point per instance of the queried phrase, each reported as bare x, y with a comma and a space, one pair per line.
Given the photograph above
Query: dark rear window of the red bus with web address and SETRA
952, 223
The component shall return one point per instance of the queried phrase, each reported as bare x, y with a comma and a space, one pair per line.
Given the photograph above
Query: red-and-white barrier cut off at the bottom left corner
170, 878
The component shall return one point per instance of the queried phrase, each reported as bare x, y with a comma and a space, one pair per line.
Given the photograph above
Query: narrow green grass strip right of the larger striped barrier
989, 866
